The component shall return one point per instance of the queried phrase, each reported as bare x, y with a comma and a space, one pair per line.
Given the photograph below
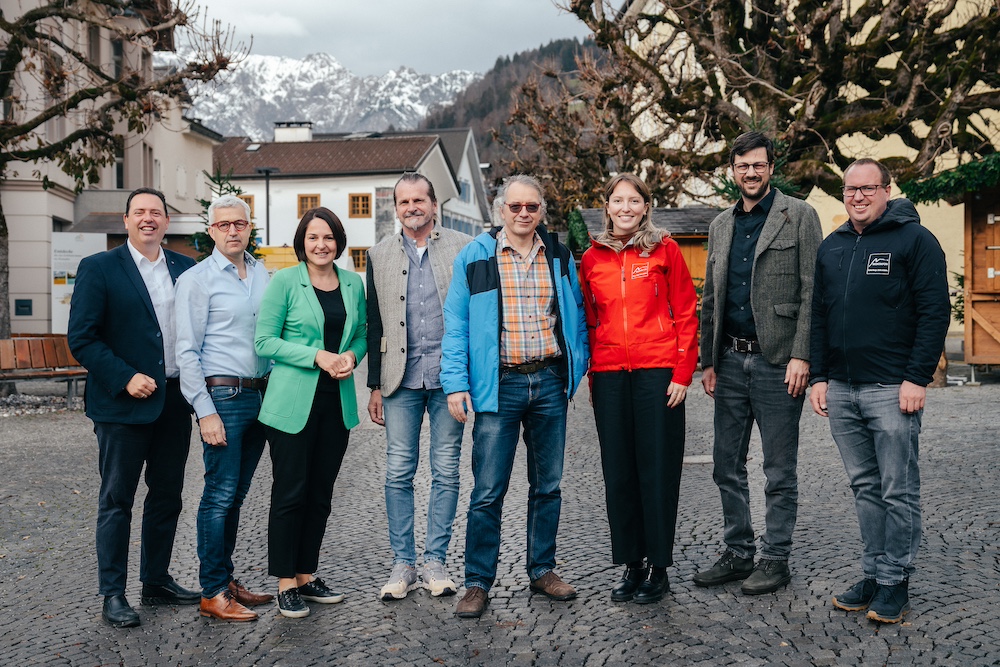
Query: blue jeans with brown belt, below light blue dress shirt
229, 470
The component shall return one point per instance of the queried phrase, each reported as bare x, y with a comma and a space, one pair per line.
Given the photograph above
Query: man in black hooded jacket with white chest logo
880, 316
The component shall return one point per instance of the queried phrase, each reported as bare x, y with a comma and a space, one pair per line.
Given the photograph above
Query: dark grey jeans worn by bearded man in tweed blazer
749, 389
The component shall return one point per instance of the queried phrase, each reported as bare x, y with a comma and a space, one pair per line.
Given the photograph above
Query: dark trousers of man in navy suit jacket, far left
123, 449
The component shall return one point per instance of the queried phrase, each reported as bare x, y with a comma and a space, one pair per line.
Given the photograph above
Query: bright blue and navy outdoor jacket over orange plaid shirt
470, 351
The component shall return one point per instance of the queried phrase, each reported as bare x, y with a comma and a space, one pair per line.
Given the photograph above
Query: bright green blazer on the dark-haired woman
290, 331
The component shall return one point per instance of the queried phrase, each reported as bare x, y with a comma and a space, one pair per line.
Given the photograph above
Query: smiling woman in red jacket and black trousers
640, 305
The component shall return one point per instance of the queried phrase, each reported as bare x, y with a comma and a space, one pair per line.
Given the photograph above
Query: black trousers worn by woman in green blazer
305, 466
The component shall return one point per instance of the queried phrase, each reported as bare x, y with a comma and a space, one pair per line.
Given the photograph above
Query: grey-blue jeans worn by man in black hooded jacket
878, 443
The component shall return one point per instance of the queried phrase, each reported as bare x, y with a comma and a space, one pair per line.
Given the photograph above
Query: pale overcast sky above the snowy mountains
375, 36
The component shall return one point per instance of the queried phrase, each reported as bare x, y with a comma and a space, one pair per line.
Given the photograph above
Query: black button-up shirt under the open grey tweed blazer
738, 316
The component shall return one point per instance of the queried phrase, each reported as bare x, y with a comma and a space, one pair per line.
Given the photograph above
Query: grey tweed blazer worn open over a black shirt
781, 281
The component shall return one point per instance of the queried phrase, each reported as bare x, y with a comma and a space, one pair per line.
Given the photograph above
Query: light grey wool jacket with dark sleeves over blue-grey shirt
388, 268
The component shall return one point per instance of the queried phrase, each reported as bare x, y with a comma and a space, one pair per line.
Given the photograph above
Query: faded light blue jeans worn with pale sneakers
404, 413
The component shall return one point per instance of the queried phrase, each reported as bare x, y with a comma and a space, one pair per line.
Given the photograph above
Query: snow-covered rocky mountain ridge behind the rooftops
265, 89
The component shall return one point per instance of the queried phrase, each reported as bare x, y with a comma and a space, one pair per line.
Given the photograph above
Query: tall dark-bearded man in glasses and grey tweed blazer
755, 355
